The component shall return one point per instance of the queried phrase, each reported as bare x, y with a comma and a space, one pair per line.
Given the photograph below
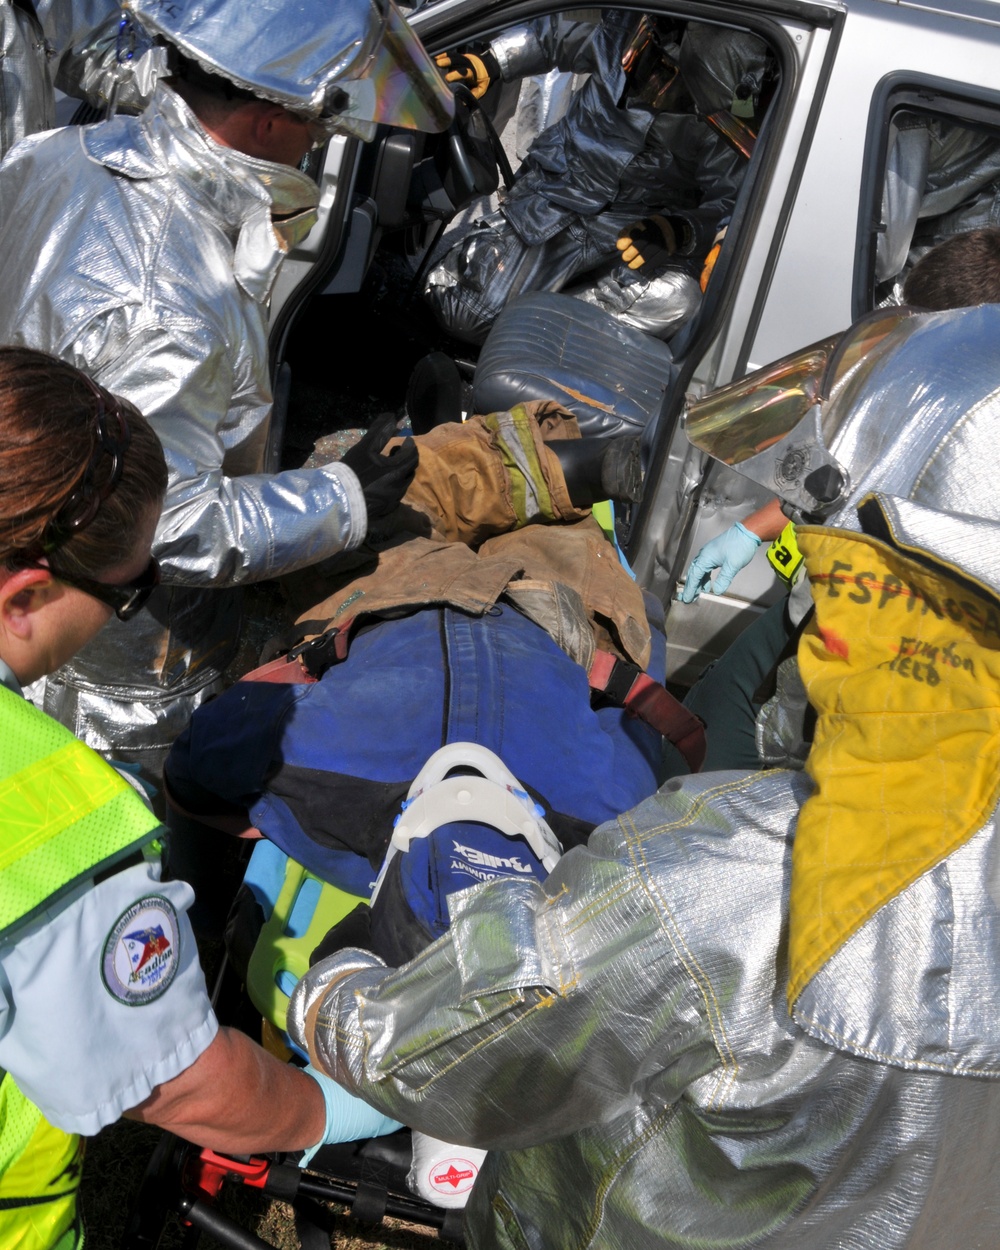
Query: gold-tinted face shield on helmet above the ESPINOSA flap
777, 427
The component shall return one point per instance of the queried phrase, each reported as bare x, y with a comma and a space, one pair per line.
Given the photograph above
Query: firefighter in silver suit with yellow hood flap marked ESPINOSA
759, 1009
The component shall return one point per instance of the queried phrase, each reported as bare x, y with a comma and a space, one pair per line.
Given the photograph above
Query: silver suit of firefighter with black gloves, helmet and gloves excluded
144, 253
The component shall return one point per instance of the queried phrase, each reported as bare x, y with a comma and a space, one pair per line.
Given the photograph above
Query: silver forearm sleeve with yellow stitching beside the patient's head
539, 1013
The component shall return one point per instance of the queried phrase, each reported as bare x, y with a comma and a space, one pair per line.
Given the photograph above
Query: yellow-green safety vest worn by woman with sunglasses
64, 813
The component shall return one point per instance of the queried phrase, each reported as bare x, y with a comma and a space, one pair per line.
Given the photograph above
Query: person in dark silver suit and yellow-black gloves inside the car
636, 178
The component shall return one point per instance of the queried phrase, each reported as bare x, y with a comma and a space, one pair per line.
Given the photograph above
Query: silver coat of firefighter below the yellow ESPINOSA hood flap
619, 1039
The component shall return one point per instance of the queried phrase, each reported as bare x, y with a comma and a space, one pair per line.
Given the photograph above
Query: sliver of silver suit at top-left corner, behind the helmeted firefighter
27, 98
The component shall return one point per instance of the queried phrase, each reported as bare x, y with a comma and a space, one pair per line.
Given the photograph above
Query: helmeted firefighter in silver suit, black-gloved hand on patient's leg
161, 288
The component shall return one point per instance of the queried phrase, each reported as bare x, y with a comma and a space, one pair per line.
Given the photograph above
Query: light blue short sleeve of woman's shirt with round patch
102, 997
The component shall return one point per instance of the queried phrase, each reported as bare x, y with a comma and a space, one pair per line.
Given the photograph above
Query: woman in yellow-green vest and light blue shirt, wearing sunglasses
103, 1003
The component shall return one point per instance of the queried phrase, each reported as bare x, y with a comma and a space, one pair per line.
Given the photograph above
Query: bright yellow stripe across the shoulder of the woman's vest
42, 801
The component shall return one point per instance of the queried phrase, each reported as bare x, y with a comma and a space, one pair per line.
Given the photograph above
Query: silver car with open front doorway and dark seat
879, 136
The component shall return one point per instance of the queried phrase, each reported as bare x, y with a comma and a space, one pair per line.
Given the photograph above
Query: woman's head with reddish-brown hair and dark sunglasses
83, 483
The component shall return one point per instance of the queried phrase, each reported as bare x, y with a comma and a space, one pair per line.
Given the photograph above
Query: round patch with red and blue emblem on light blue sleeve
142, 952
